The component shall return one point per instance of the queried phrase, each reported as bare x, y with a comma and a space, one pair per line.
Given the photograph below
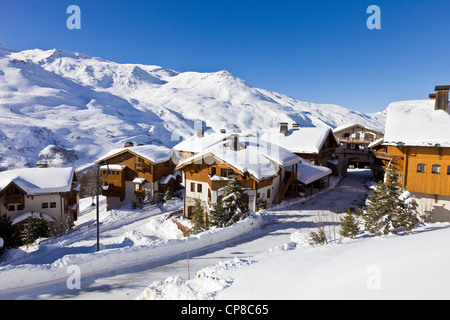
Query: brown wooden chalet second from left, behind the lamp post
137, 173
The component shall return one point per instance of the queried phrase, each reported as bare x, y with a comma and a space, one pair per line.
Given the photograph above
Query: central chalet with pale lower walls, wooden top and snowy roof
266, 172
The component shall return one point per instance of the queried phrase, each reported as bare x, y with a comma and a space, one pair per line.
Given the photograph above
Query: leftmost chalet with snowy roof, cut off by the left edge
32, 191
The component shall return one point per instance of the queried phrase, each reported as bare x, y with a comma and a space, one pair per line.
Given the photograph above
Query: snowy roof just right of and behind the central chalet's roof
300, 140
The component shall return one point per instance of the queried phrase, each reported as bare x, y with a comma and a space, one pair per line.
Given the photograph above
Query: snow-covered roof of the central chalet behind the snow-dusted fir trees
258, 157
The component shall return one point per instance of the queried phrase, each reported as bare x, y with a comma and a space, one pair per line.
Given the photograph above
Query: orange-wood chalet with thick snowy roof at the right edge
417, 142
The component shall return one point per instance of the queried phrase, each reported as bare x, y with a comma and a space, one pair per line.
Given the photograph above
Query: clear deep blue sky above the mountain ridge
316, 51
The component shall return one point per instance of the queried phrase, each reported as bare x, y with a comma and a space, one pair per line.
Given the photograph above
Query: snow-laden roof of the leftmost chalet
39, 181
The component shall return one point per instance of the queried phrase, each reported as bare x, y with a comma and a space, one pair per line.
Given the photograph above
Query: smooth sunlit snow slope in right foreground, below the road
386, 267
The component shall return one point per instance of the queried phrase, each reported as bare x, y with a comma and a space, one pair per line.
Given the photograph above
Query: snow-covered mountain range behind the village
67, 108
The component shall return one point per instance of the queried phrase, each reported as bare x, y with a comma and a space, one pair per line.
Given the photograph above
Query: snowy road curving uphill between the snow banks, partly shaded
128, 283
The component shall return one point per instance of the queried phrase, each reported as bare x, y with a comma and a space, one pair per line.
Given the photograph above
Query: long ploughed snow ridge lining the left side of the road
140, 251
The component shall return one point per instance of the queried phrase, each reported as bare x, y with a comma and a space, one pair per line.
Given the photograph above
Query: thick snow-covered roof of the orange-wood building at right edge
416, 123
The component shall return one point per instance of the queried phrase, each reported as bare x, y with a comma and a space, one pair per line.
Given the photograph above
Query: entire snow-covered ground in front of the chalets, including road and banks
143, 256
